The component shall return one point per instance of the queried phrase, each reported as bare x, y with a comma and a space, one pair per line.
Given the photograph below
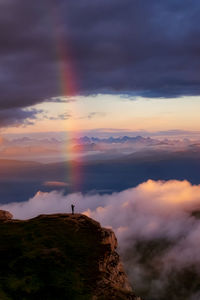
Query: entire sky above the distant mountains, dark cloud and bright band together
125, 65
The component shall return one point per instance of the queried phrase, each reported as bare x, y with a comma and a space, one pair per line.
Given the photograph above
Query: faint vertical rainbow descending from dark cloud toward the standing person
68, 88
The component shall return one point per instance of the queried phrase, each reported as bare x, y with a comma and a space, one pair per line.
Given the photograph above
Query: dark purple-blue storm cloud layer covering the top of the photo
137, 47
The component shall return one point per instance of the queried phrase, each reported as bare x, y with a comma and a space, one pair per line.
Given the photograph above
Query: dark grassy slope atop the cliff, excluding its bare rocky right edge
46, 258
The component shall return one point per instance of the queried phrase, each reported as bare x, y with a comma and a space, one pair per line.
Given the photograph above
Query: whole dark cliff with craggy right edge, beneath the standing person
60, 256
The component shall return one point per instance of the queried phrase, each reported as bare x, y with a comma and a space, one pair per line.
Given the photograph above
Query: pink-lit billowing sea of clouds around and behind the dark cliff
154, 210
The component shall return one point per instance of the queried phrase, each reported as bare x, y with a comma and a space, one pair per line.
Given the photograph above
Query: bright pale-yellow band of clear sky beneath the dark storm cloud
114, 112
